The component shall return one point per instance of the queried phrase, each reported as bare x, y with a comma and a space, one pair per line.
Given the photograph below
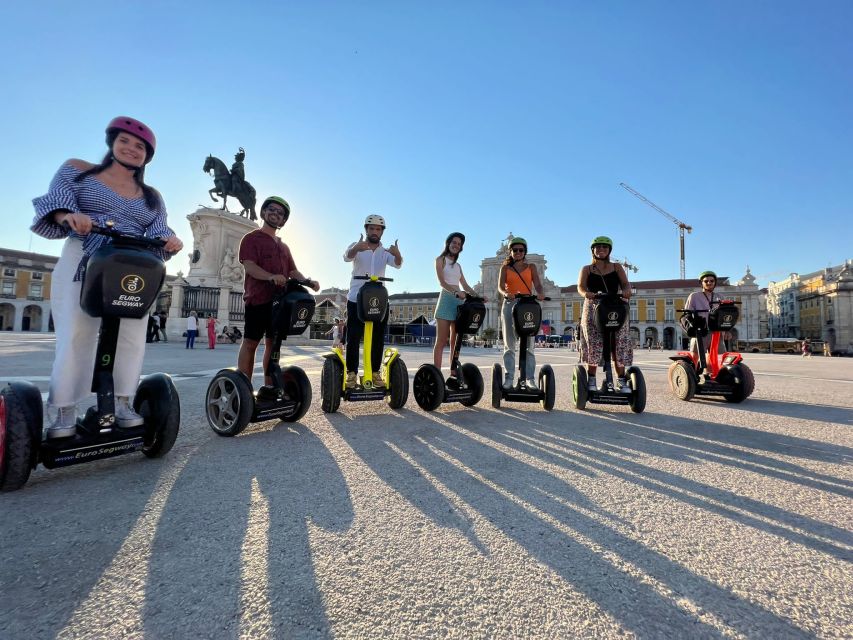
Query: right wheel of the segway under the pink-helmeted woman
157, 401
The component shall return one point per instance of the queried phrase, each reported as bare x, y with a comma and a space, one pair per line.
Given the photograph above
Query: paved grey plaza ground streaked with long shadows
691, 520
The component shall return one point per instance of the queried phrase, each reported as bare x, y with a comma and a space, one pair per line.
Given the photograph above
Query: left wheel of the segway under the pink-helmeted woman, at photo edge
18, 447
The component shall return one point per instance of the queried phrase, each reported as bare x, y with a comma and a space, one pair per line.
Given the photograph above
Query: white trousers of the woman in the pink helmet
77, 339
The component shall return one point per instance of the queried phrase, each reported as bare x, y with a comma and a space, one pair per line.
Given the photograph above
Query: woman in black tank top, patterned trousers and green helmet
602, 276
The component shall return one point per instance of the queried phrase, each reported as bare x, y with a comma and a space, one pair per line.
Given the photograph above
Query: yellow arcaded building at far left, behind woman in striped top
25, 280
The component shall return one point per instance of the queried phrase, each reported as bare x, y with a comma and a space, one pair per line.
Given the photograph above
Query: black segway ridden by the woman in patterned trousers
610, 315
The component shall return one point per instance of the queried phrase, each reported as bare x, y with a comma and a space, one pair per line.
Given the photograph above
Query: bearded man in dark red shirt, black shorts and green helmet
268, 264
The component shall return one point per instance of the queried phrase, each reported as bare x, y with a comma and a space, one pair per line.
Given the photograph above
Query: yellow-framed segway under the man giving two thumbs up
372, 306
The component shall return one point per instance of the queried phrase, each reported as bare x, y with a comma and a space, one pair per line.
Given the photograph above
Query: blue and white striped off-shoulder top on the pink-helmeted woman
99, 202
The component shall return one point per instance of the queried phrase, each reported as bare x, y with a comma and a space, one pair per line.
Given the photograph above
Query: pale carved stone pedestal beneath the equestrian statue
216, 243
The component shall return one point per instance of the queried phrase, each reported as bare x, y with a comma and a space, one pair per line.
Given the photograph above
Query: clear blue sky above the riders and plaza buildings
482, 117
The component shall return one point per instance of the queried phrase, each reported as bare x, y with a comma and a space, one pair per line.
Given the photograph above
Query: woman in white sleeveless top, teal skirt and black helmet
453, 288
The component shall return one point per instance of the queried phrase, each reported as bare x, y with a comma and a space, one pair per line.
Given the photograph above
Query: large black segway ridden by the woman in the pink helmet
122, 280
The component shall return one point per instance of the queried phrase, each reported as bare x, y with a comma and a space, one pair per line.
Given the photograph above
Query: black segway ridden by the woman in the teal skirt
430, 387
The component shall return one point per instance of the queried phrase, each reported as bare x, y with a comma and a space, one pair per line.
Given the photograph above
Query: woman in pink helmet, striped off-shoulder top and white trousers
82, 194
